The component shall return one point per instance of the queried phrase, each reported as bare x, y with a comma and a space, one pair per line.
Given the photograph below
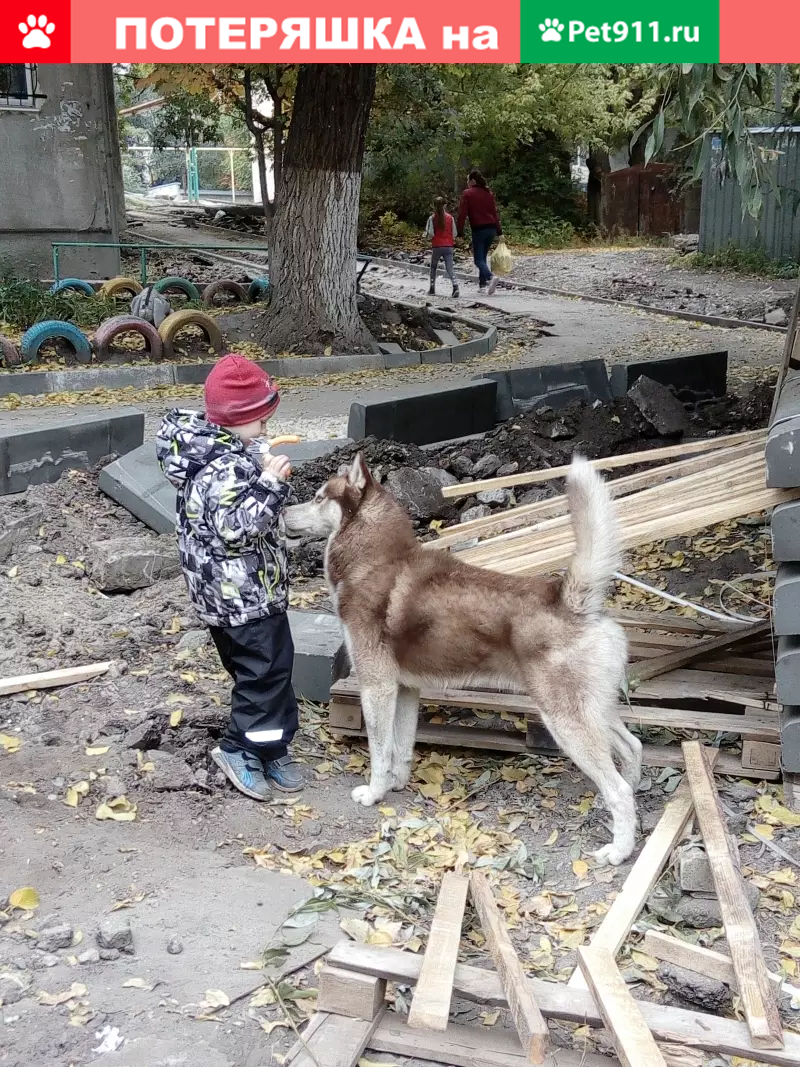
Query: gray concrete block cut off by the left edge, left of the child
39, 451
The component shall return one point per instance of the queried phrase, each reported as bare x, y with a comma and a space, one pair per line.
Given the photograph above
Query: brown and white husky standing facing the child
413, 617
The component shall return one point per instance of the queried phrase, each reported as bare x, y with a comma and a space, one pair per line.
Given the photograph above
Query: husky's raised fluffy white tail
598, 540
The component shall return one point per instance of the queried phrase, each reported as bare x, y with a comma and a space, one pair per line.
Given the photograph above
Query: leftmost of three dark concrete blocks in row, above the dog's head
427, 417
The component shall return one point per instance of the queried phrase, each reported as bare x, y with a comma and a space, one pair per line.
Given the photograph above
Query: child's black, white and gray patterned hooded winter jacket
229, 521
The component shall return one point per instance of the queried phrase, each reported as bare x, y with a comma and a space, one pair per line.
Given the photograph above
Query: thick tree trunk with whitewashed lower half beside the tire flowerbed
313, 274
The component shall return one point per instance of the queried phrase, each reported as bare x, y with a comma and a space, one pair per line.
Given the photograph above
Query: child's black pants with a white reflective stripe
264, 712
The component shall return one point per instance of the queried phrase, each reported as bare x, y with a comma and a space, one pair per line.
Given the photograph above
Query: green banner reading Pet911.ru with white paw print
620, 31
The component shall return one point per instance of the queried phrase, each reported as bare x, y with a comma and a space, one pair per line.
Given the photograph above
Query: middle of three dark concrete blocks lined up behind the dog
586, 379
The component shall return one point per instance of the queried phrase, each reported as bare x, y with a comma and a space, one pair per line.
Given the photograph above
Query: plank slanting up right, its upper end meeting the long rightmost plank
646, 872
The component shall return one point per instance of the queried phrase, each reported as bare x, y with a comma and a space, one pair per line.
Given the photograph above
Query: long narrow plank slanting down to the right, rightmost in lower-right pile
758, 1001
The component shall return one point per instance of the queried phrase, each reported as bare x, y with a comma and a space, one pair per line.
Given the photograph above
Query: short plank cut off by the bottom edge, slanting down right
635, 1045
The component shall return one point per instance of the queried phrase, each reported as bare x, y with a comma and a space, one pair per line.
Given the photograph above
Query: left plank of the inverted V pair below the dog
430, 1007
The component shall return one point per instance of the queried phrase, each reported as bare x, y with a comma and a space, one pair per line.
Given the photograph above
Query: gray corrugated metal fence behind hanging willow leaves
778, 231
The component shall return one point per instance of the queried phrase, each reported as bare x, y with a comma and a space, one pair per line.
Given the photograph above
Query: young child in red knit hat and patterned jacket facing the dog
230, 506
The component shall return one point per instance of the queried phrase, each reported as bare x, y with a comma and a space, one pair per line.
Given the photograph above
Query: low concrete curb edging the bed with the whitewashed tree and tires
40, 383
